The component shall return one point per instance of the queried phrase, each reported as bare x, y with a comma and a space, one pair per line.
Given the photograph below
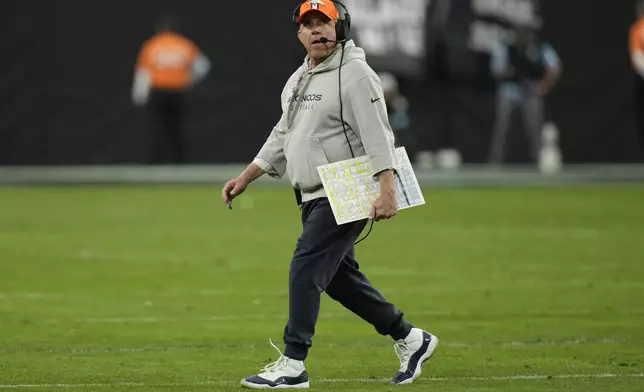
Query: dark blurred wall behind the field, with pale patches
67, 71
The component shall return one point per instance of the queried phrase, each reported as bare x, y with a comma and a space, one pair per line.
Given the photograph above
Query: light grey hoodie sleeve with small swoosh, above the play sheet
366, 113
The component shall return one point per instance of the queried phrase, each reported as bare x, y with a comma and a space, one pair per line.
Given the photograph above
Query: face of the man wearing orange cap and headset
314, 26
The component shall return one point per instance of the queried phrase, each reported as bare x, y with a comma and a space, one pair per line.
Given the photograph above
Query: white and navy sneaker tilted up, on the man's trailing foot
413, 351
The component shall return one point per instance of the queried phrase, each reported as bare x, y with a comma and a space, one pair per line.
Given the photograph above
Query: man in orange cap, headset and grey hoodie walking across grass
333, 109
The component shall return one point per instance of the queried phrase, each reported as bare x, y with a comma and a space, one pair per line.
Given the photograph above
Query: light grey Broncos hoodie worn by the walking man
309, 133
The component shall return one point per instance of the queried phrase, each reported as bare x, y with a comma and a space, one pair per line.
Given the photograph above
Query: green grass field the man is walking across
163, 288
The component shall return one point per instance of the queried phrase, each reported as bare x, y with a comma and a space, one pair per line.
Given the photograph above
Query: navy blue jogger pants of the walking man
324, 260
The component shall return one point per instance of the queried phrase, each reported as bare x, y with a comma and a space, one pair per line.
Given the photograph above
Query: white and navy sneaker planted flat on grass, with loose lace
282, 374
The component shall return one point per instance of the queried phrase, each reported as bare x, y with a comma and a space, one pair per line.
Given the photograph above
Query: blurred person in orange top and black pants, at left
168, 65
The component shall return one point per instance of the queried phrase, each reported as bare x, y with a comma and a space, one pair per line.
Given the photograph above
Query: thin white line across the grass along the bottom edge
518, 377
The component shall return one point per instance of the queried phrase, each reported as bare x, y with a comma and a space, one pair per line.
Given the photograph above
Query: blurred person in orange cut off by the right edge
636, 44
